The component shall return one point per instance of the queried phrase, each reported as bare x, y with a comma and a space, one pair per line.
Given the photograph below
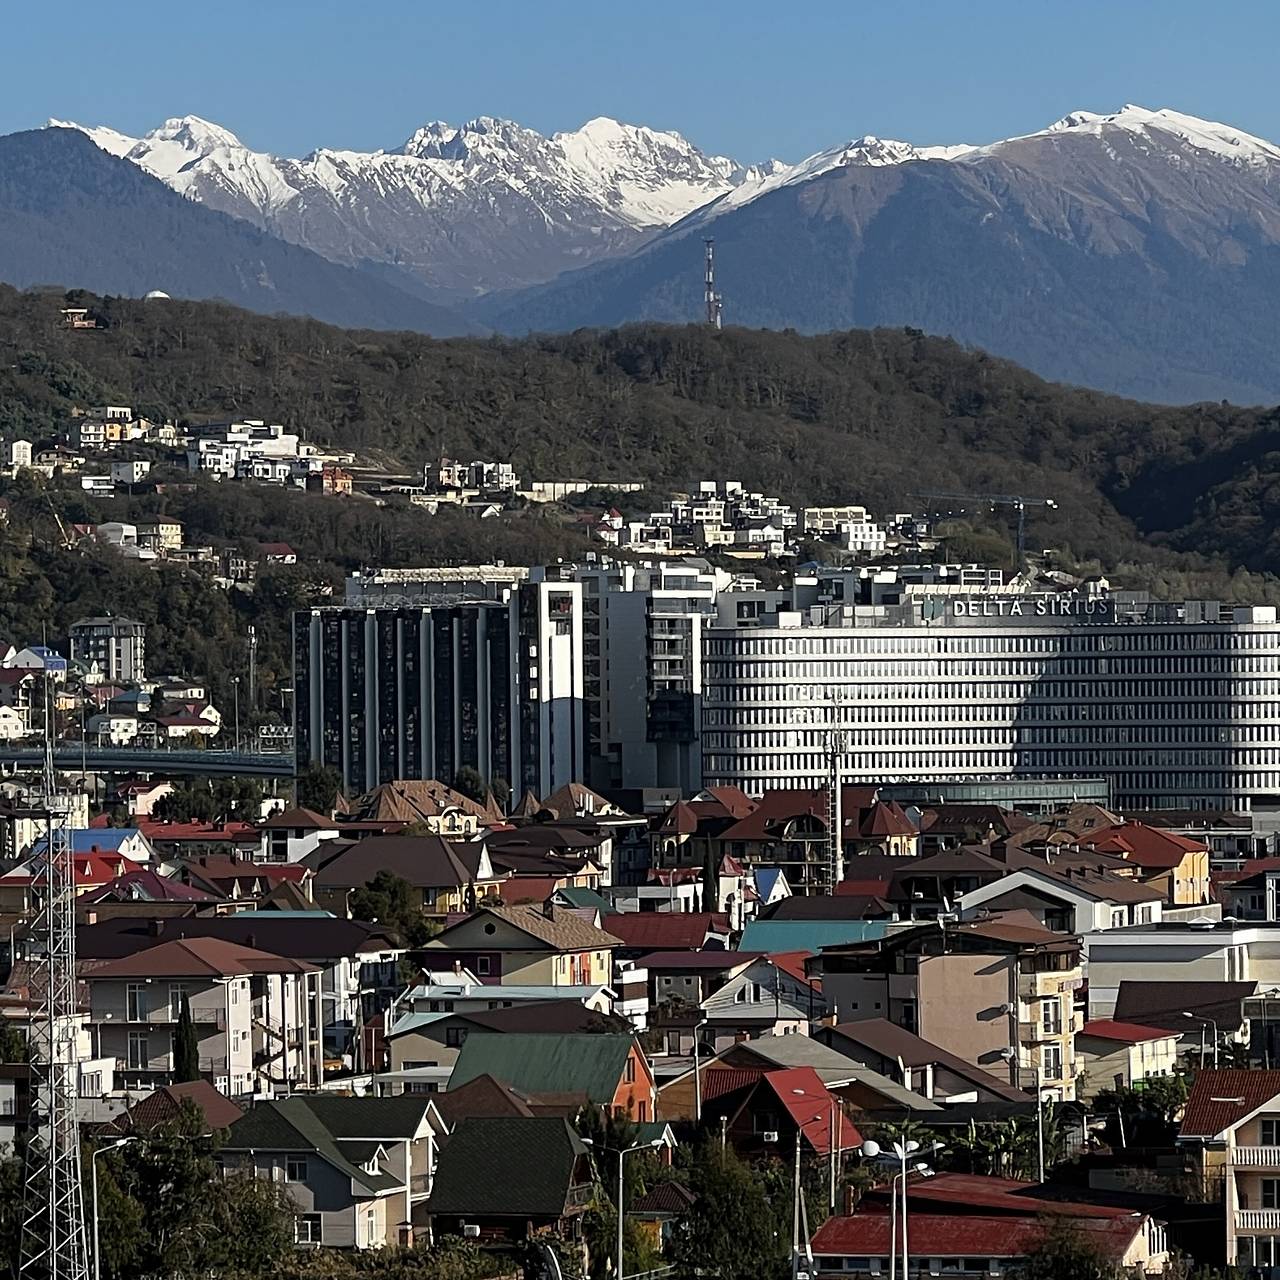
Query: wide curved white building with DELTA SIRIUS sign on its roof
1172, 706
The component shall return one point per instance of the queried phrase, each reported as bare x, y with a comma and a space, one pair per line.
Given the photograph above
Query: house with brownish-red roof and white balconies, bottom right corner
1231, 1133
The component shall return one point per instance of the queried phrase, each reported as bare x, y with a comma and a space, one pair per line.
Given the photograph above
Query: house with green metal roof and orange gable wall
604, 1069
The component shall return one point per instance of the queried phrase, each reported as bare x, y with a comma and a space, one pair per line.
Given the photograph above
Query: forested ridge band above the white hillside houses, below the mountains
868, 415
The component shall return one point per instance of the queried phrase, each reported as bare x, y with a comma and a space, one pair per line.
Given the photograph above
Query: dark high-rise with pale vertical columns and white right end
426, 691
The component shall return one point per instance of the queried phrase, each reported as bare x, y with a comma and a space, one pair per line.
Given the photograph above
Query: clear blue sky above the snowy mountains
749, 79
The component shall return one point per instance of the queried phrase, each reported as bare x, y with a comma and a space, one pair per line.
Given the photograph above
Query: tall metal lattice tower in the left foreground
54, 1245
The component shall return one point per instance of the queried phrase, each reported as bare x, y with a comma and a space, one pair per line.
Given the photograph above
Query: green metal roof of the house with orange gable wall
589, 1063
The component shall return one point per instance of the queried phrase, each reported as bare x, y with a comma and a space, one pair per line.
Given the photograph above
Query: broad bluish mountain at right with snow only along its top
1135, 252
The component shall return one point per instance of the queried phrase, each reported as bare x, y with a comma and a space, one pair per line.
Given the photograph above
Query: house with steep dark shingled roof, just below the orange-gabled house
513, 1178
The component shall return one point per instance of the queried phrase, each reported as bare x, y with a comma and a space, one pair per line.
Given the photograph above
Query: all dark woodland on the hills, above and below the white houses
1183, 501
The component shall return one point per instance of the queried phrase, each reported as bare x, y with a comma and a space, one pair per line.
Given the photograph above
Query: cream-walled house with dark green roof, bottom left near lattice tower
358, 1171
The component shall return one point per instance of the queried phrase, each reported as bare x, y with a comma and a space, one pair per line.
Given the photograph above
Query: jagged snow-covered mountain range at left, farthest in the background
464, 209
